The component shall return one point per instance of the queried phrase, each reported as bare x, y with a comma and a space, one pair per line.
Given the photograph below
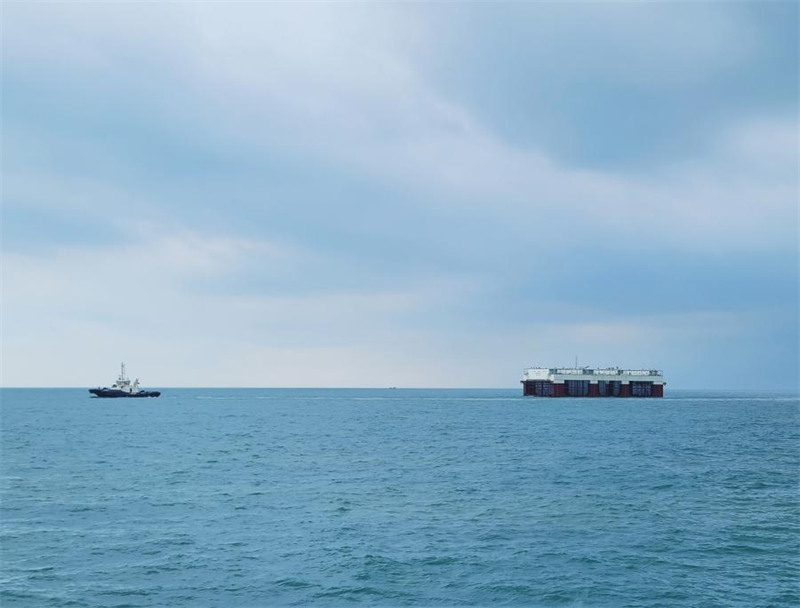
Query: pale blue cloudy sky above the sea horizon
399, 194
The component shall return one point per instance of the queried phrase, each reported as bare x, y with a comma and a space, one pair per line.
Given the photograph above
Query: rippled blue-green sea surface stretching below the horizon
271, 497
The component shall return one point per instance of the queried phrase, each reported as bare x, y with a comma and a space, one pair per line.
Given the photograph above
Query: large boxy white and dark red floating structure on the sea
592, 382
